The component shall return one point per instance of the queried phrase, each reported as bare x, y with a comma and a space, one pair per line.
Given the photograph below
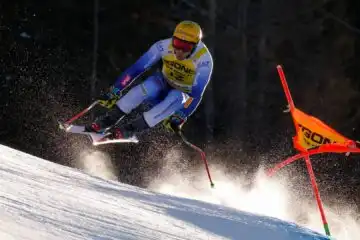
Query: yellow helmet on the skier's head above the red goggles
188, 31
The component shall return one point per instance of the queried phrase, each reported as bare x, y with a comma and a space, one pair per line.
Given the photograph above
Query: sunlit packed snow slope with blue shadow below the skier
43, 200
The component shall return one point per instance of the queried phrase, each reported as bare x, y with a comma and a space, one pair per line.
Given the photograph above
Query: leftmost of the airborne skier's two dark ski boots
105, 121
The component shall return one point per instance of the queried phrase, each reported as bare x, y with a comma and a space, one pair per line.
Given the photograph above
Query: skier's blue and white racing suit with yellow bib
176, 90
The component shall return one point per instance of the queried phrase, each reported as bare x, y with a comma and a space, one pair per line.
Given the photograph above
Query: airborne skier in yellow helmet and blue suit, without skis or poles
175, 92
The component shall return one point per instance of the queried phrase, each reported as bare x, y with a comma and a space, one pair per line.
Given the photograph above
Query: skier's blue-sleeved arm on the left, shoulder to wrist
147, 60
